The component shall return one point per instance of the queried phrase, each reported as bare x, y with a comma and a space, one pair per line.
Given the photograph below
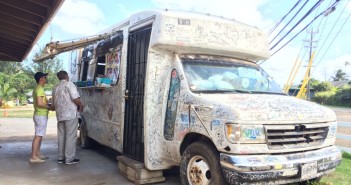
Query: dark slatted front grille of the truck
295, 136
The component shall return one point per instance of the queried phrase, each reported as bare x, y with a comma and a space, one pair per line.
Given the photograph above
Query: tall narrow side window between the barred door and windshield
172, 104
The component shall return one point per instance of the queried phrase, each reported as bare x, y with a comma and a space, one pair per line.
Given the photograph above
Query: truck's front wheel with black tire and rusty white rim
200, 165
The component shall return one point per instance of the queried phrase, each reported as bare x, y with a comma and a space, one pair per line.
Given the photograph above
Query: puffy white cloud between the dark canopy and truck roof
79, 17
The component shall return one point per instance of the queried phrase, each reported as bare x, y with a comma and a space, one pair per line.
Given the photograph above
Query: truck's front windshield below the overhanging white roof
212, 76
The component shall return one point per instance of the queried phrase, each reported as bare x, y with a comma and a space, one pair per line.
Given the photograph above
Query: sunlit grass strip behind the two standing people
22, 112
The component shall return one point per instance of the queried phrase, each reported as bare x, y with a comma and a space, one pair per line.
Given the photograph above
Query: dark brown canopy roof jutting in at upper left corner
21, 24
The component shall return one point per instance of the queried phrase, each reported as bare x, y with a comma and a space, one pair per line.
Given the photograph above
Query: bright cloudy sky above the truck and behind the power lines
79, 18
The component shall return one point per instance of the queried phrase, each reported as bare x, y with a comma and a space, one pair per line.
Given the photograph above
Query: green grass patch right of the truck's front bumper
342, 174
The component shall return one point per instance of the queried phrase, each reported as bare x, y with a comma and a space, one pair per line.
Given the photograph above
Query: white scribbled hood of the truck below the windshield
253, 108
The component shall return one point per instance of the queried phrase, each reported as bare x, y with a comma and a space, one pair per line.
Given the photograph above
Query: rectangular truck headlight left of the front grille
237, 133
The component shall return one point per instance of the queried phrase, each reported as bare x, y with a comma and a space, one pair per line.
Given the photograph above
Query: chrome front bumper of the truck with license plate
279, 169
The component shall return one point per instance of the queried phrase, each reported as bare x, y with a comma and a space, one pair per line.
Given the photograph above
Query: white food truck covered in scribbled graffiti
184, 89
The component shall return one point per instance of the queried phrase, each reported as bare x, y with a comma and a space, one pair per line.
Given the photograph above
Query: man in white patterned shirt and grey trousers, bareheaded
66, 102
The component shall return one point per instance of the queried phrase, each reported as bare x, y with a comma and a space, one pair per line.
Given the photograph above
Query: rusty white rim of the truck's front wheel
198, 171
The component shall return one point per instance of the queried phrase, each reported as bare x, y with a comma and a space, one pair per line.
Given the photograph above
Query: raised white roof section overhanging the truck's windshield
198, 33
